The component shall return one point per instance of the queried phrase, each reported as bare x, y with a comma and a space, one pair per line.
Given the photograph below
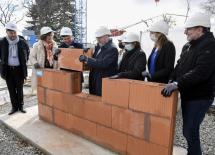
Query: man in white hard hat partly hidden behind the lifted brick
68, 40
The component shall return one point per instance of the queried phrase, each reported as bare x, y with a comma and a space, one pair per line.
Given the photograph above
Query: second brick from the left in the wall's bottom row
62, 119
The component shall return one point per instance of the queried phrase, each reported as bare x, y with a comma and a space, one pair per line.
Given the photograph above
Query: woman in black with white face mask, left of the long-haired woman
134, 59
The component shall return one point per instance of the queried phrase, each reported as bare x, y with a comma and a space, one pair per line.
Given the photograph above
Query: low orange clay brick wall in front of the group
131, 117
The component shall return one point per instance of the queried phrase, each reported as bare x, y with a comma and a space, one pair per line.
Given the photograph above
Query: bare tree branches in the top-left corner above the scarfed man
8, 10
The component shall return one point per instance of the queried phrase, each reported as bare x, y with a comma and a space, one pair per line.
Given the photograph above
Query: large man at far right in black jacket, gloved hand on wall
193, 77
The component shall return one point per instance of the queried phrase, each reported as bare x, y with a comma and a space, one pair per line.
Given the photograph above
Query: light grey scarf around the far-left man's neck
13, 48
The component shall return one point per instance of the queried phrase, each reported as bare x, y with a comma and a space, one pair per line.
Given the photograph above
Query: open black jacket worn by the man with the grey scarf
23, 54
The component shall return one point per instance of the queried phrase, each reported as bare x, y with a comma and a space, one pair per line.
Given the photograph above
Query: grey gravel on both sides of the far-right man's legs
207, 132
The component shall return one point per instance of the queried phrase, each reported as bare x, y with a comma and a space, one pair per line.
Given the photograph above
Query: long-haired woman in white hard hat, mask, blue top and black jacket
162, 58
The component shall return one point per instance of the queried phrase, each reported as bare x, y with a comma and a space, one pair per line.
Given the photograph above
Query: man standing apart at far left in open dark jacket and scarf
14, 53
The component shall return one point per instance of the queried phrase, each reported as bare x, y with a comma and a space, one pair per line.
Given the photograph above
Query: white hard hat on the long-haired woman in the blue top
160, 26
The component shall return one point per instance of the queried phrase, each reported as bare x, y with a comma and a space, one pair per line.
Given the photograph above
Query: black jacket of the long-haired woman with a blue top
164, 63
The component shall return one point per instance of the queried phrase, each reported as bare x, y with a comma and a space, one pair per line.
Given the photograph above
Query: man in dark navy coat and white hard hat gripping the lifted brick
103, 62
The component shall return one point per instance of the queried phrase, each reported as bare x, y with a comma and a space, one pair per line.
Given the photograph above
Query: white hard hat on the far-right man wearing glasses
198, 19
